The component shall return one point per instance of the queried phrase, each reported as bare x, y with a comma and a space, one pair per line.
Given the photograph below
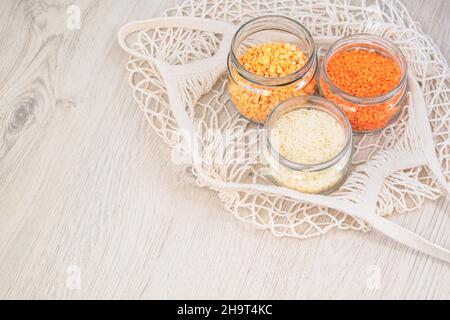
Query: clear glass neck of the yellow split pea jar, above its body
273, 23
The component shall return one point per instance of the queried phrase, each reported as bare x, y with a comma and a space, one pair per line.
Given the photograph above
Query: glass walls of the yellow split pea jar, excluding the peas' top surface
254, 96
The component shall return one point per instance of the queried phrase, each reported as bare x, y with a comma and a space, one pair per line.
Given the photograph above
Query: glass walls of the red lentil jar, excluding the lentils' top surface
366, 114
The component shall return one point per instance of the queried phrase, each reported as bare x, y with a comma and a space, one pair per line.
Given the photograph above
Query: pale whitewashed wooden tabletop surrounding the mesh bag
90, 206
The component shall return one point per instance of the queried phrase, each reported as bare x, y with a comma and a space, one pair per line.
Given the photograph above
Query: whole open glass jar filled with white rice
307, 145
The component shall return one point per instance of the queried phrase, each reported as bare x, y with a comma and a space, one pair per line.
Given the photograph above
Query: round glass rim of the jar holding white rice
302, 102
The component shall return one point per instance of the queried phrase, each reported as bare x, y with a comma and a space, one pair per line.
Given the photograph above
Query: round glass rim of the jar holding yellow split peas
273, 81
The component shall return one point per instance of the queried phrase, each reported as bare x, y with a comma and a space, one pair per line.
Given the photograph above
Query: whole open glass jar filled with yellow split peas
272, 58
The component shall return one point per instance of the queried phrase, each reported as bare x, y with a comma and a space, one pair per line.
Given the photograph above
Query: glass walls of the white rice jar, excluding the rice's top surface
317, 178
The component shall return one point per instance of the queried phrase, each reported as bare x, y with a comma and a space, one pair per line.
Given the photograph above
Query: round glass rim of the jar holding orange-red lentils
366, 39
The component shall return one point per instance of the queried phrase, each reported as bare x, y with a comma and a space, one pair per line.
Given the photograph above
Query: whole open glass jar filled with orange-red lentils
366, 76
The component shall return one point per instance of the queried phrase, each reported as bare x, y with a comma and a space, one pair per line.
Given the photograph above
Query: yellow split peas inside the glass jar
270, 60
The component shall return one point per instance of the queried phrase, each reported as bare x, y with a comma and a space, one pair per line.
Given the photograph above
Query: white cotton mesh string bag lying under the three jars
177, 72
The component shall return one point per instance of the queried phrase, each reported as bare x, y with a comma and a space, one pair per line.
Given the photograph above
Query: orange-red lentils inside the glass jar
364, 74
